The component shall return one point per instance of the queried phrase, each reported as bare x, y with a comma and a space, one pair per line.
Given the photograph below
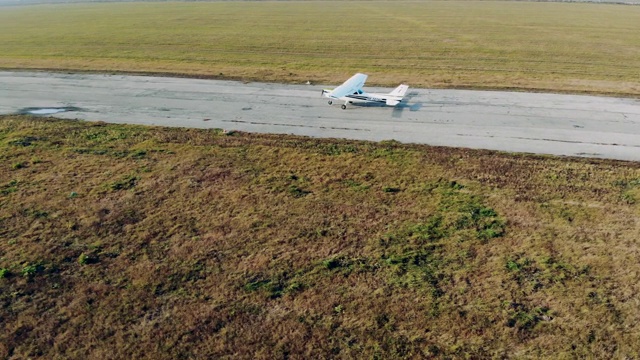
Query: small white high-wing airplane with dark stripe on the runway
351, 92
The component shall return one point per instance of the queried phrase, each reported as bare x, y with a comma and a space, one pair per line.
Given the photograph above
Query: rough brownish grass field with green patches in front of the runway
137, 242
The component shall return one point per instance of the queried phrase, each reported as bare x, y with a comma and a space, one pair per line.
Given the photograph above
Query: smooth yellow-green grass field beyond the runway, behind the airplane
466, 44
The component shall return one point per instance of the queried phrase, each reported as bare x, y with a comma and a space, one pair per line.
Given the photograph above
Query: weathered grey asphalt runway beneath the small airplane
555, 124
